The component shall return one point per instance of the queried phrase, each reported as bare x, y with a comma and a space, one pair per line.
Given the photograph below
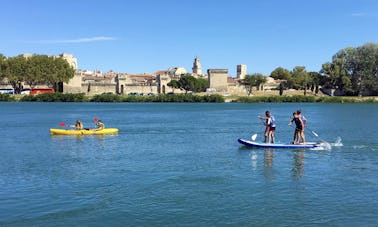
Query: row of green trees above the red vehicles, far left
34, 70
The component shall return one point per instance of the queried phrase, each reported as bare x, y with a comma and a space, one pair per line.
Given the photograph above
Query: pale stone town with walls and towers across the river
93, 82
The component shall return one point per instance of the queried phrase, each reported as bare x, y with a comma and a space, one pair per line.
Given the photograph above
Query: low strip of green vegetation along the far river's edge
59, 97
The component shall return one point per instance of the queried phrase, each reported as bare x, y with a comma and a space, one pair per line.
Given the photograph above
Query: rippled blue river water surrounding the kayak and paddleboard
180, 164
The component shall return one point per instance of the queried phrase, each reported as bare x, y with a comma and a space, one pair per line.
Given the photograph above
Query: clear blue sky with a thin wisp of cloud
144, 36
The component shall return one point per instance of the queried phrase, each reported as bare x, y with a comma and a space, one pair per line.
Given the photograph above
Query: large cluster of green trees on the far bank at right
352, 71
